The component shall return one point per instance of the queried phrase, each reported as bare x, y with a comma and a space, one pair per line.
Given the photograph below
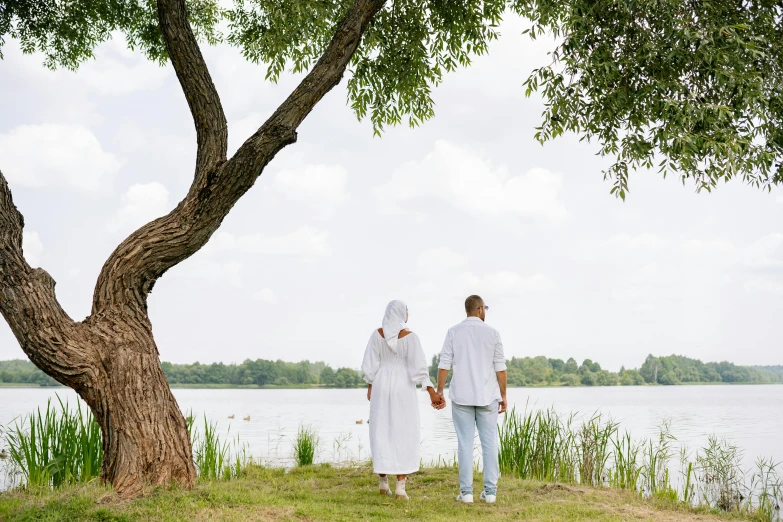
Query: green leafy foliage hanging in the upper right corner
692, 87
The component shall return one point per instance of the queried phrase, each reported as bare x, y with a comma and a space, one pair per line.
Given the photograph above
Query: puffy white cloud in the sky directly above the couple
471, 184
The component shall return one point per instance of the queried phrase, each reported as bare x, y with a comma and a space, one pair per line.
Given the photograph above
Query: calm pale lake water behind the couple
750, 416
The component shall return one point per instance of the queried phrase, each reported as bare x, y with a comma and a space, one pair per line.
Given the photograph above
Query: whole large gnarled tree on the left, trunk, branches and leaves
397, 53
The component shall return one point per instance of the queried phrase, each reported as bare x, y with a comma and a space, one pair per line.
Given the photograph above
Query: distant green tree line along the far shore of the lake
522, 371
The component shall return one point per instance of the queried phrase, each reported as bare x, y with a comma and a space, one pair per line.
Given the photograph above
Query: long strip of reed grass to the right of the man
542, 445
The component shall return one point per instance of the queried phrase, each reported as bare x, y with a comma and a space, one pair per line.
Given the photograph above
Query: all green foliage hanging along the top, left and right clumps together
688, 87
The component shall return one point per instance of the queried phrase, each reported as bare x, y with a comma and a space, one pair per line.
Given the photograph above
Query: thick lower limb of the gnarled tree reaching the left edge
29, 305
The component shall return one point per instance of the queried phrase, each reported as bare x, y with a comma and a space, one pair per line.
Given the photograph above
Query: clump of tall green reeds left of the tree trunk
56, 446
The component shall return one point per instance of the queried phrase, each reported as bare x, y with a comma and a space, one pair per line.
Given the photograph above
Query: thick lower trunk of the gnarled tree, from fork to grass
145, 437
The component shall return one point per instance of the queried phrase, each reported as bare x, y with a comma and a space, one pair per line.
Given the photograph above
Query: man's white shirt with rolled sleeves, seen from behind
475, 351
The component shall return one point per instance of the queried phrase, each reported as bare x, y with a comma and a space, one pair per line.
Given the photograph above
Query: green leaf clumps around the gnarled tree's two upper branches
407, 48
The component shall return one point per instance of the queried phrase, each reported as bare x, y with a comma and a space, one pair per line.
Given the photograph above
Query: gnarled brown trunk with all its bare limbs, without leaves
110, 358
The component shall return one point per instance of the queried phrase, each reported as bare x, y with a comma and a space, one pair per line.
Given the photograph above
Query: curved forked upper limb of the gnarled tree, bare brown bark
132, 270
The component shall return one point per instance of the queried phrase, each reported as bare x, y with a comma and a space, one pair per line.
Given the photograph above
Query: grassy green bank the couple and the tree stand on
325, 493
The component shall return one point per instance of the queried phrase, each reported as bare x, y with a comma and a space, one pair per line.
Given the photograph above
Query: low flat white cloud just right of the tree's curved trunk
303, 242
